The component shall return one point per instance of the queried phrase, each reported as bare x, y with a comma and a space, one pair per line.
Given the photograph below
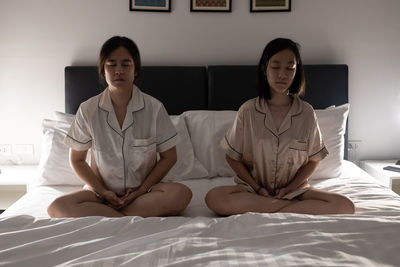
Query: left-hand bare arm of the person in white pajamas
87, 174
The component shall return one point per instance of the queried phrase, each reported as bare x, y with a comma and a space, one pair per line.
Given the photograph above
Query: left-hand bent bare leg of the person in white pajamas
80, 204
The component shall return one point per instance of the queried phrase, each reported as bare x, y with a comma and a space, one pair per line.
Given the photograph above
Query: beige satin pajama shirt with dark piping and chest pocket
273, 156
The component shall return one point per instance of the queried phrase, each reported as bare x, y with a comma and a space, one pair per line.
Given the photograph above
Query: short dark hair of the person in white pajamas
113, 43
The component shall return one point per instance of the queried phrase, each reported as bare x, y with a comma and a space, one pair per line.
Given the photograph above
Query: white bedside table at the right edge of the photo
390, 179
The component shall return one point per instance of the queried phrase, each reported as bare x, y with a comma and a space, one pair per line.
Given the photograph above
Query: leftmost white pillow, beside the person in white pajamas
54, 167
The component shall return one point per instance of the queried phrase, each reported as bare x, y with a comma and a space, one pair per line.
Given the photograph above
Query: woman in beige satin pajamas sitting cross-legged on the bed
275, 144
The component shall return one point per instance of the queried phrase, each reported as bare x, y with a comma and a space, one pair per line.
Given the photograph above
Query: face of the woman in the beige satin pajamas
281, 69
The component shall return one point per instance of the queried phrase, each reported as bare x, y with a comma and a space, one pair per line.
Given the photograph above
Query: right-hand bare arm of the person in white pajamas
167, 159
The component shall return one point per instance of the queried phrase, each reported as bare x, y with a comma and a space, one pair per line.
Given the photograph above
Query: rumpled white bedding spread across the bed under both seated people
368, 238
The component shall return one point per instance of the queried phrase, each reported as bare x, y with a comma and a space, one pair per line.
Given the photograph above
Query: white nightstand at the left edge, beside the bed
14, 183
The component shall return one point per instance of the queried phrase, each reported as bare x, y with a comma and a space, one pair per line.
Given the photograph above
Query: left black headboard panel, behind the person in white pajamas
178, 88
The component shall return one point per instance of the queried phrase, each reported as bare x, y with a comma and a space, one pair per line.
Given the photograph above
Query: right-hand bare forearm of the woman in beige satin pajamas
301, 177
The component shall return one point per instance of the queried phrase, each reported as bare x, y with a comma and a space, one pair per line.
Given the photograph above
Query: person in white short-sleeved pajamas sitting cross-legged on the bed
124, 129
